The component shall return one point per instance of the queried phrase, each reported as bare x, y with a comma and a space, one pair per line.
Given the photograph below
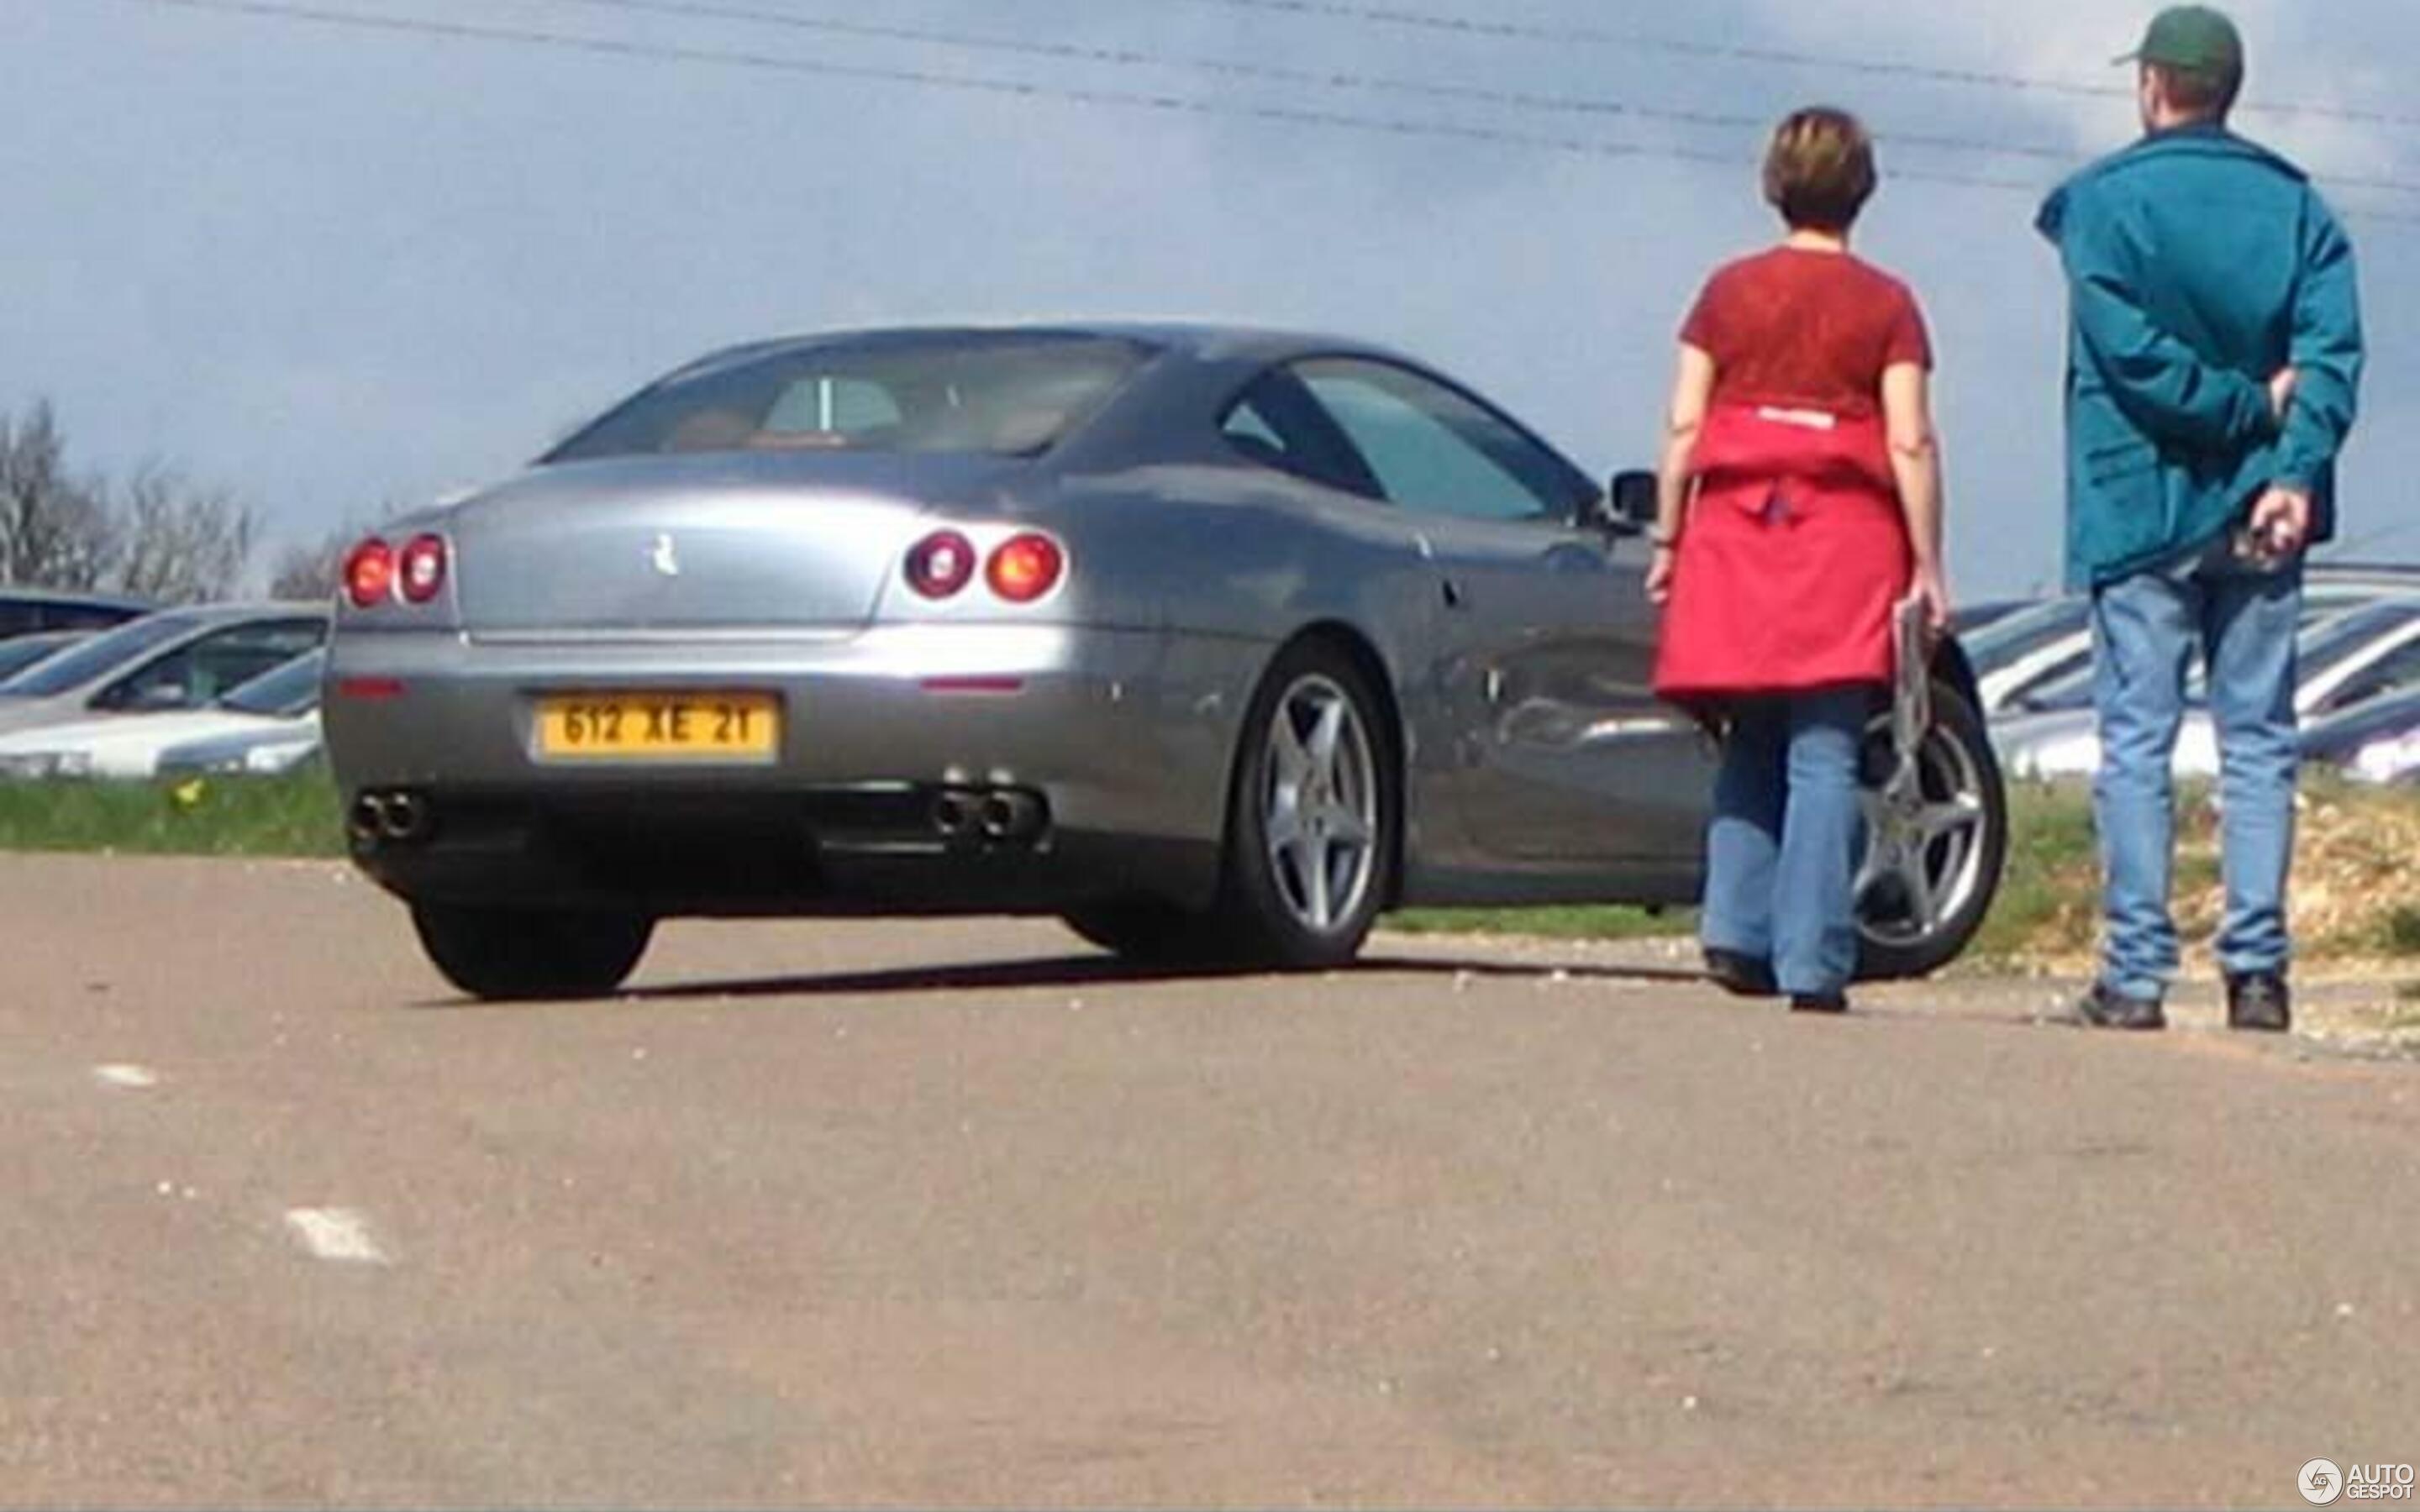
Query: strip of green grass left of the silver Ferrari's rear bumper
212, 816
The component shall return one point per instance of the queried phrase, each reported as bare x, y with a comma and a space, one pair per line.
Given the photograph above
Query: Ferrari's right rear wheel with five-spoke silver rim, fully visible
1313, 816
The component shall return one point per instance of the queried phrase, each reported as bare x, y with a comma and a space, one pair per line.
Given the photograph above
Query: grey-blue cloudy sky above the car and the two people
347, 267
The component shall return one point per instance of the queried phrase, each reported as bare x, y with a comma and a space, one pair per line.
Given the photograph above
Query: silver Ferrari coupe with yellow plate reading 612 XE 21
1211, 642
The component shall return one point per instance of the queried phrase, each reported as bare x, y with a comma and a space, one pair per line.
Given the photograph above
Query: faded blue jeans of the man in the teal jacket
2145, 635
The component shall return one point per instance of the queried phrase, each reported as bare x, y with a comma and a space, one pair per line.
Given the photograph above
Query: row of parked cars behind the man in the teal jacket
2358, 681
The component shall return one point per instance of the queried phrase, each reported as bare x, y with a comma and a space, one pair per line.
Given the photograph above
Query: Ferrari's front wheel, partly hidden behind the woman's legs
1935, 855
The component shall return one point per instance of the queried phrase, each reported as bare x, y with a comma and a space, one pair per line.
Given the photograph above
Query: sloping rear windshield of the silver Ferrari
984, 393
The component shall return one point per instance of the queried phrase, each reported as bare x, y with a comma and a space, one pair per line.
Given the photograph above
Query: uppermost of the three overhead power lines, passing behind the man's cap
1565, 35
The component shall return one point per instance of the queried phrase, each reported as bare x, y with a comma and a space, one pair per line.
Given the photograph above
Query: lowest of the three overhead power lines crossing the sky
972, 83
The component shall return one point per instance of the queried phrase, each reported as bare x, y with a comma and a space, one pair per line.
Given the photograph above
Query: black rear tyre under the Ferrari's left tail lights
526, 954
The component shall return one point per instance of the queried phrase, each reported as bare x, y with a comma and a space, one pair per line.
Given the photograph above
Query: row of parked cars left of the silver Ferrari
113, 688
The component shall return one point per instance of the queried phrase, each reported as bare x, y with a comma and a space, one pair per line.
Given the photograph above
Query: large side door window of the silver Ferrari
1436, 451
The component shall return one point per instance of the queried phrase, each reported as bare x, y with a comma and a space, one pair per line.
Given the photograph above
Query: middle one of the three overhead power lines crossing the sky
1339, 81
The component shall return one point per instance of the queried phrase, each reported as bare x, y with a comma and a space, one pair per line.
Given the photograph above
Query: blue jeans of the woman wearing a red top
1782, 848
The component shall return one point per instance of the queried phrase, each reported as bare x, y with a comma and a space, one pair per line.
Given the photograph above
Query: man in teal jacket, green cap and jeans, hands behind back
2213, 379
